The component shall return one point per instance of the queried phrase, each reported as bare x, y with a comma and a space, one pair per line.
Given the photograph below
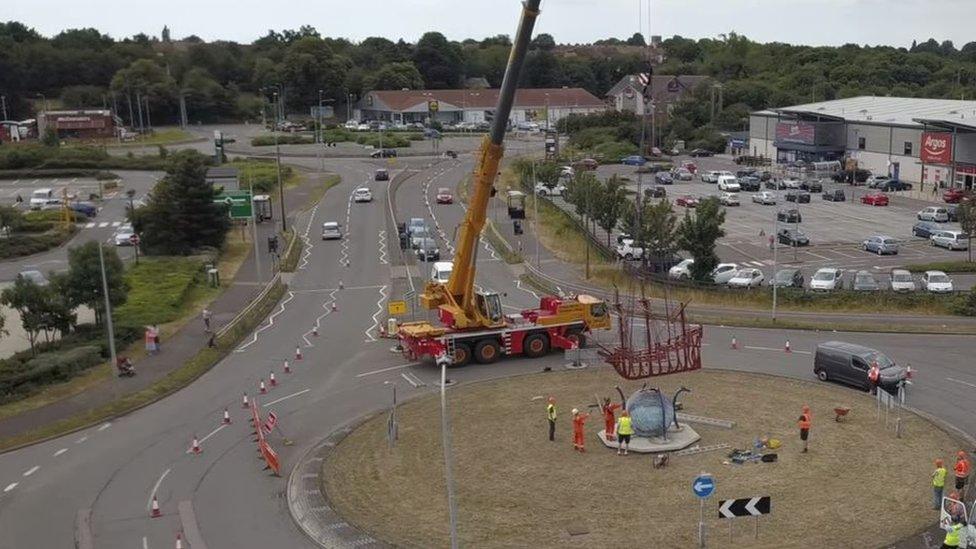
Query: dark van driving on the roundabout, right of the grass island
849, 363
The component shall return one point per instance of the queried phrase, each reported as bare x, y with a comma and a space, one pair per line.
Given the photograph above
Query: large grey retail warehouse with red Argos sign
927, 141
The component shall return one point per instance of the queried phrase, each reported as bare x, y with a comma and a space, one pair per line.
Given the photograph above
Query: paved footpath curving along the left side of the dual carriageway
179, 347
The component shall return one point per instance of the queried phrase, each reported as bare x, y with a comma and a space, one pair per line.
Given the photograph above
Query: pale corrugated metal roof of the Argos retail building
886, 110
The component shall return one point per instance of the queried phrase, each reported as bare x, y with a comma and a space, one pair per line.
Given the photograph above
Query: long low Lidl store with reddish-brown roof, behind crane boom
538, 105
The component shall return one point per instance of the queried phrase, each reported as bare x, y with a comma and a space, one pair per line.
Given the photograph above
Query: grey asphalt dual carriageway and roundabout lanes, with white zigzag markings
107, 475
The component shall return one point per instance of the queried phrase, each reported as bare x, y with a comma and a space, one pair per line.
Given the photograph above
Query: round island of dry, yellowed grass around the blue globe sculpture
859, 486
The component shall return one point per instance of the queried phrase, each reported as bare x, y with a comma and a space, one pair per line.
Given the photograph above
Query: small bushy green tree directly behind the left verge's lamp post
82, 285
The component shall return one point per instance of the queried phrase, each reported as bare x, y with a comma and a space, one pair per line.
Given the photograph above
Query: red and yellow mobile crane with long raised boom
472, 323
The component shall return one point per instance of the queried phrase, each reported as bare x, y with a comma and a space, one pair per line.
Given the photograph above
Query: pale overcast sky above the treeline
813, 22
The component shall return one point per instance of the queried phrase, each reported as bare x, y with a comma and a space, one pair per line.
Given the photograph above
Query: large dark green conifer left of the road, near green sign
181, 215
